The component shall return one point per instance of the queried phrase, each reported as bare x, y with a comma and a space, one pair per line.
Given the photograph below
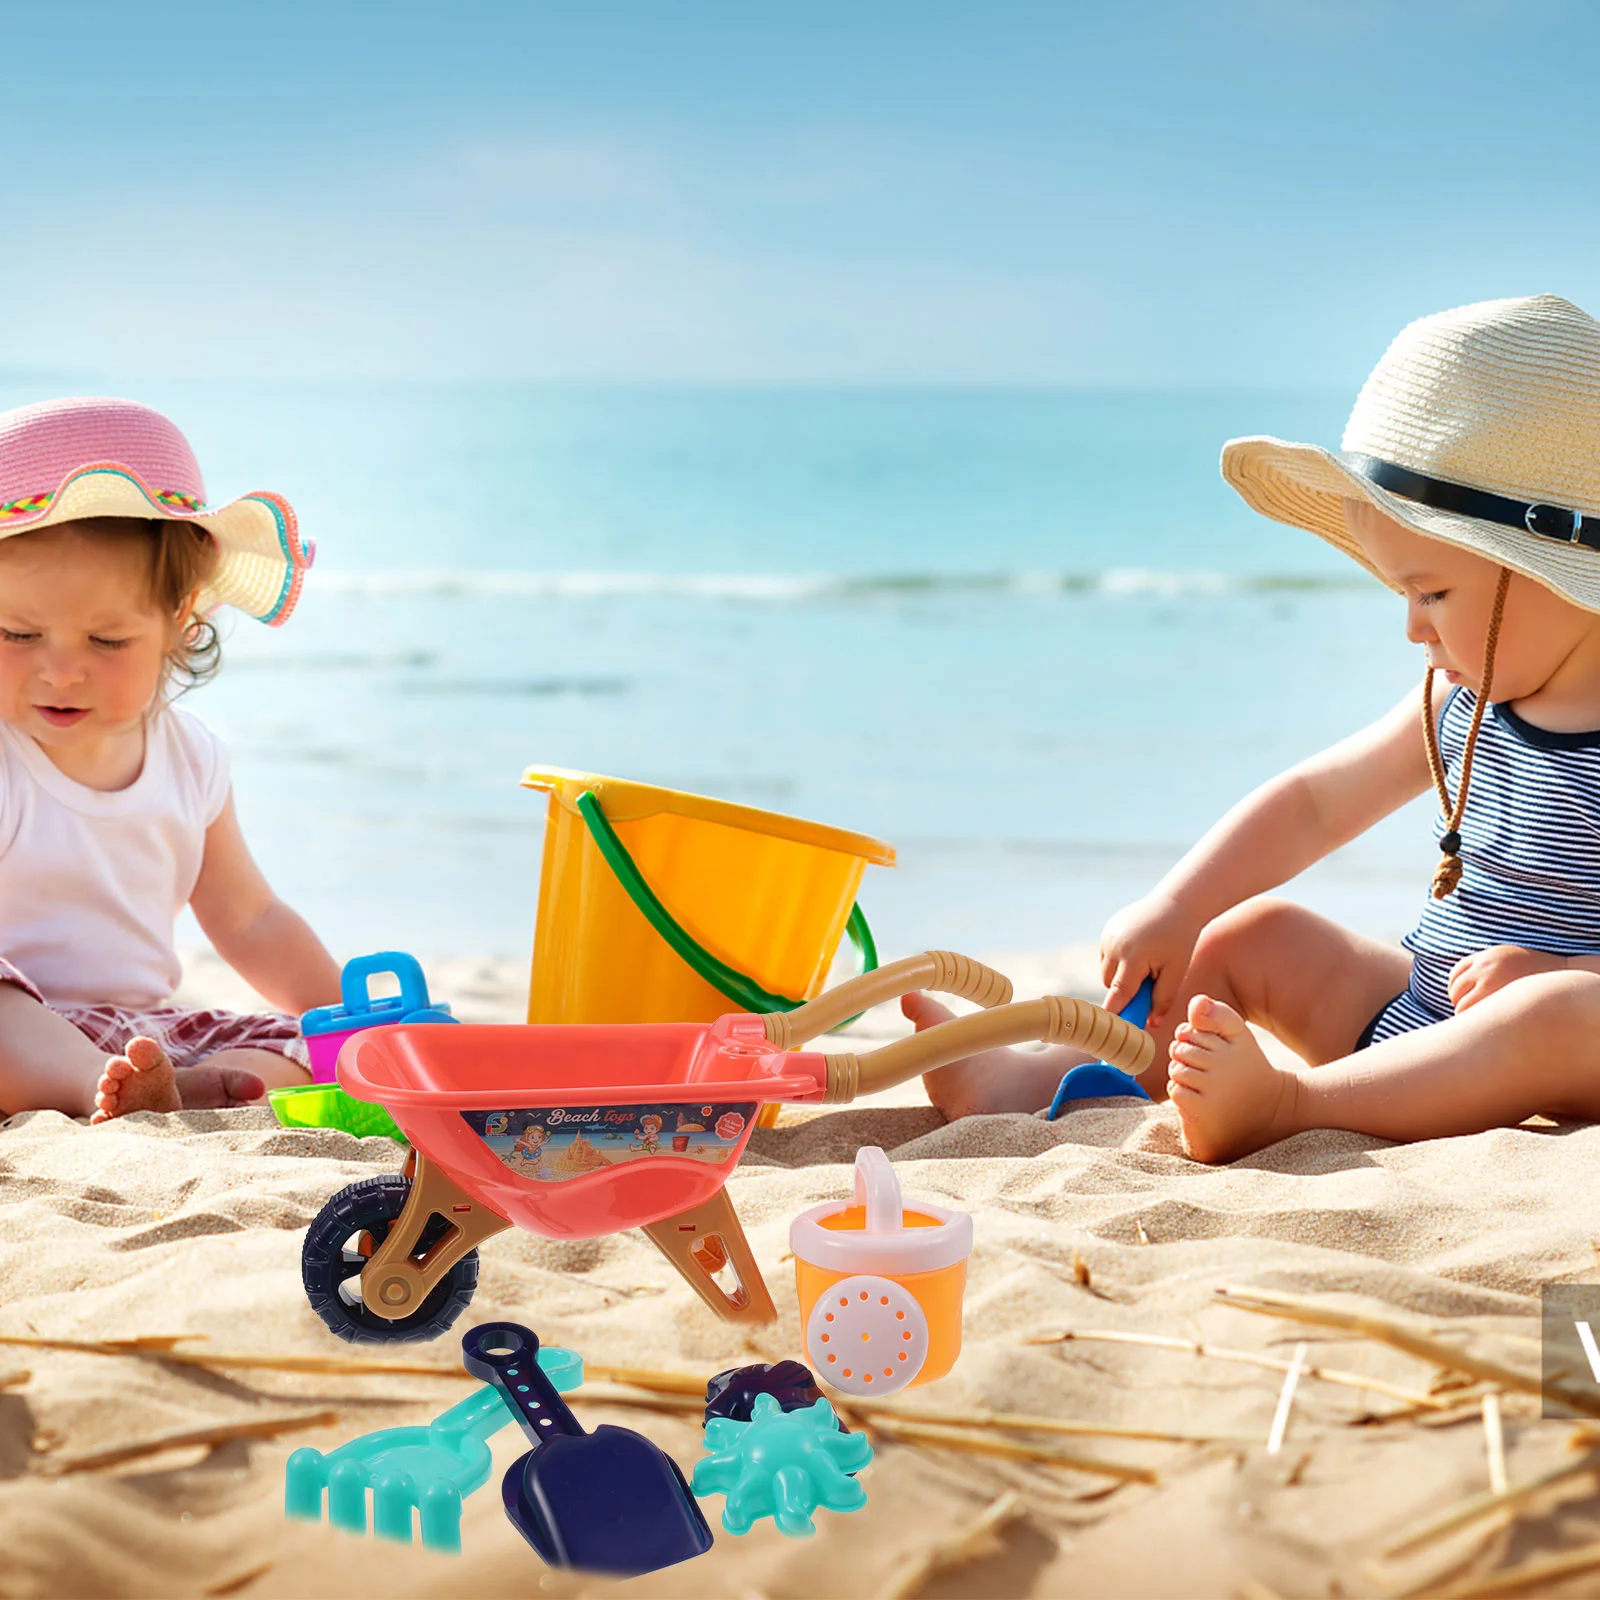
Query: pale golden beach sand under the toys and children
193, 1225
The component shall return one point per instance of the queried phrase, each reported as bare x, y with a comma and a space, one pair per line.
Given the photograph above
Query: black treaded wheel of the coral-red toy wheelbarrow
342, 1241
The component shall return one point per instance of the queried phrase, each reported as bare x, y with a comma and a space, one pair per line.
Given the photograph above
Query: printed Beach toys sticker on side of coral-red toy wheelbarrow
554, 1143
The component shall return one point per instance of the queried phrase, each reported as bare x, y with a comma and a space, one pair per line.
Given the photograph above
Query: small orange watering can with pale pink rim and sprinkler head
881, 1286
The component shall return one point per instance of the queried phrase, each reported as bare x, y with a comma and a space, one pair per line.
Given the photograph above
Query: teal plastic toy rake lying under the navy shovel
428, 1470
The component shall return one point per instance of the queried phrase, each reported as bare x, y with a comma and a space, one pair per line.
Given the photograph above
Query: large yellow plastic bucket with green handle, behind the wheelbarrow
761, 897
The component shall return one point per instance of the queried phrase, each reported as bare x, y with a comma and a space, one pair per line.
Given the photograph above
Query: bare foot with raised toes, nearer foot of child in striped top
1230, 1097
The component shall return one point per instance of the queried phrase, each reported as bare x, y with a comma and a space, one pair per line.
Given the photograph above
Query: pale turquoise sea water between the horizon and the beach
1028, 638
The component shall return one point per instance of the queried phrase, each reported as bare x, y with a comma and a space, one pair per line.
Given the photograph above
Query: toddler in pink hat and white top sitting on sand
116, 807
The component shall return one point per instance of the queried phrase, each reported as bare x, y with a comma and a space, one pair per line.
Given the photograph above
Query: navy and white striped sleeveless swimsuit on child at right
1530, 846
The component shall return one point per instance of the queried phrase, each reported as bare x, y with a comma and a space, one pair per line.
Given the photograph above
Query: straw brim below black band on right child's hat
1306, 486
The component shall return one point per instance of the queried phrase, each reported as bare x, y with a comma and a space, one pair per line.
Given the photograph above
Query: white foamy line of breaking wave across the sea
838, 588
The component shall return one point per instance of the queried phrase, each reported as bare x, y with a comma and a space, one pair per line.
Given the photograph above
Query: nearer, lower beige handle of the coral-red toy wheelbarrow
1057, 1020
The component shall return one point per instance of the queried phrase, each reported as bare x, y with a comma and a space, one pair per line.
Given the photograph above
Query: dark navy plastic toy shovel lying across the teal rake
609, 1502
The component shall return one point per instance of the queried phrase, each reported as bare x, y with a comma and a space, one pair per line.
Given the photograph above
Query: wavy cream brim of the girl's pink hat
263, 558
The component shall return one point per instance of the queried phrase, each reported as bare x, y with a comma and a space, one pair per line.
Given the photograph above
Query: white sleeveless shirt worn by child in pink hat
92, 882
